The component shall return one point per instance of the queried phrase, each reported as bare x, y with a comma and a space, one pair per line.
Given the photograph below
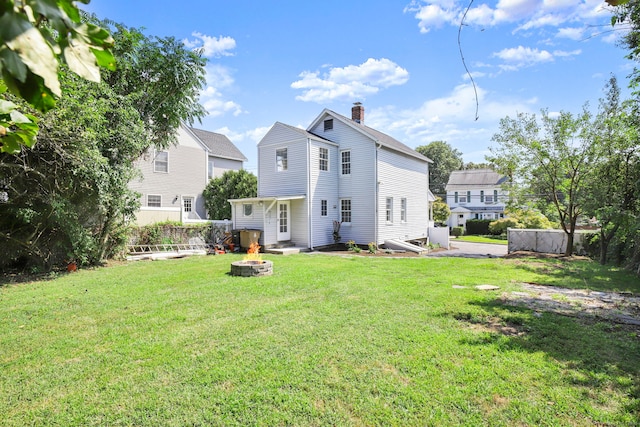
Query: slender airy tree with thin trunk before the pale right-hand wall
554, 155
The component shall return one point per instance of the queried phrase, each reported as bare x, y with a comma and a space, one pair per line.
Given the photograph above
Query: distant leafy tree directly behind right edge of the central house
445, 160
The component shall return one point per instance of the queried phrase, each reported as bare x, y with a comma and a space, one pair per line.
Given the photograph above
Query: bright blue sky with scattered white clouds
288, 60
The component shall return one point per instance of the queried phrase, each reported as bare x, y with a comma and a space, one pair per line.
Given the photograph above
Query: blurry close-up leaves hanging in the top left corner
35, 37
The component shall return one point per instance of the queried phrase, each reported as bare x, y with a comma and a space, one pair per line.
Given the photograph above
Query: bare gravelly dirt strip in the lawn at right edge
615, 307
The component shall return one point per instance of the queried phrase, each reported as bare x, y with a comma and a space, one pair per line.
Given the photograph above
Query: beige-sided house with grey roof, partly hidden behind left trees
173, 179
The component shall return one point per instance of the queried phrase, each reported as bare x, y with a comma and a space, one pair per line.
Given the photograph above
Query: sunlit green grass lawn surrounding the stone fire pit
325, 340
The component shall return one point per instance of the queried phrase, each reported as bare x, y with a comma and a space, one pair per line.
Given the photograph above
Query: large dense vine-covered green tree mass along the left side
68, 197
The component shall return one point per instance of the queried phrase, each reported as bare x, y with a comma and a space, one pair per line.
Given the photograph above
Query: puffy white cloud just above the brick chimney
351, 82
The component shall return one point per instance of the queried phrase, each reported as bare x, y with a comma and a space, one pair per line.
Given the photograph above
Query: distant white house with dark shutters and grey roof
475, 194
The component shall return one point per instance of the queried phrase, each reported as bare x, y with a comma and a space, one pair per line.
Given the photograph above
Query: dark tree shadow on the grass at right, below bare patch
599, 354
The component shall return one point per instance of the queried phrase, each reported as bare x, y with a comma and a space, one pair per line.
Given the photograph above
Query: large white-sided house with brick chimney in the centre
337, 169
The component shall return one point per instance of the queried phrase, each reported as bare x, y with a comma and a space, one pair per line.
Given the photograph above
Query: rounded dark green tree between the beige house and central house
231, 185
